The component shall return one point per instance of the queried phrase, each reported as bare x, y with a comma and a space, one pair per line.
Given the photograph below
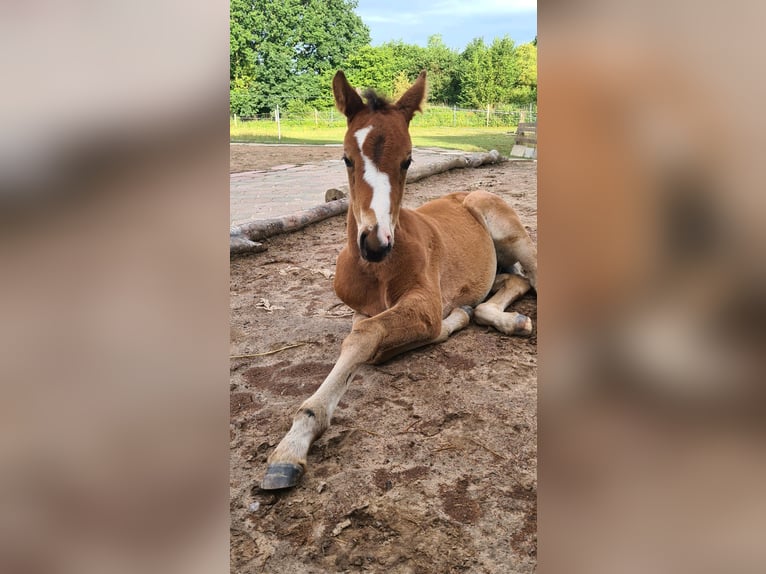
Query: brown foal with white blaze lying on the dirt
412, 277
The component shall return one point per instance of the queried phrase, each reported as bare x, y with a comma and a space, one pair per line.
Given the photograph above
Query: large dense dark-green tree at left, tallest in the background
287, 49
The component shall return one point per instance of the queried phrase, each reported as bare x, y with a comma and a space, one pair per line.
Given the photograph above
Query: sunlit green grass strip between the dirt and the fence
461, 138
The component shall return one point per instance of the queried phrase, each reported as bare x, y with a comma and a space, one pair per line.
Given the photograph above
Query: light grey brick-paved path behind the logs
283, 190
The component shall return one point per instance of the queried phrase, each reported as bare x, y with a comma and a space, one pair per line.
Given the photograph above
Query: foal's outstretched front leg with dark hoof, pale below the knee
410, 323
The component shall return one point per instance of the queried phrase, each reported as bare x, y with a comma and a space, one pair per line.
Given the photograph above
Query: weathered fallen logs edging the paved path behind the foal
245, 238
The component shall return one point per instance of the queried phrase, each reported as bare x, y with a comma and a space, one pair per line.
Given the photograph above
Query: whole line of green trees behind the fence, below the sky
286, 52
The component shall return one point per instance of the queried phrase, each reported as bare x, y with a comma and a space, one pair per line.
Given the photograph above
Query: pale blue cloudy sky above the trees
458, 21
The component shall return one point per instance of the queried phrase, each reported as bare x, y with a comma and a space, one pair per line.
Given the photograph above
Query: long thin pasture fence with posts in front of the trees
433, 116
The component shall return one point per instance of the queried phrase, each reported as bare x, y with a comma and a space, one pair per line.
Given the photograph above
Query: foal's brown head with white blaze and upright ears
377, 153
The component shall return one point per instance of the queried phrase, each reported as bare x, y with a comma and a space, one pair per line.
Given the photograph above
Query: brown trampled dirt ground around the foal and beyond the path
430, 463
